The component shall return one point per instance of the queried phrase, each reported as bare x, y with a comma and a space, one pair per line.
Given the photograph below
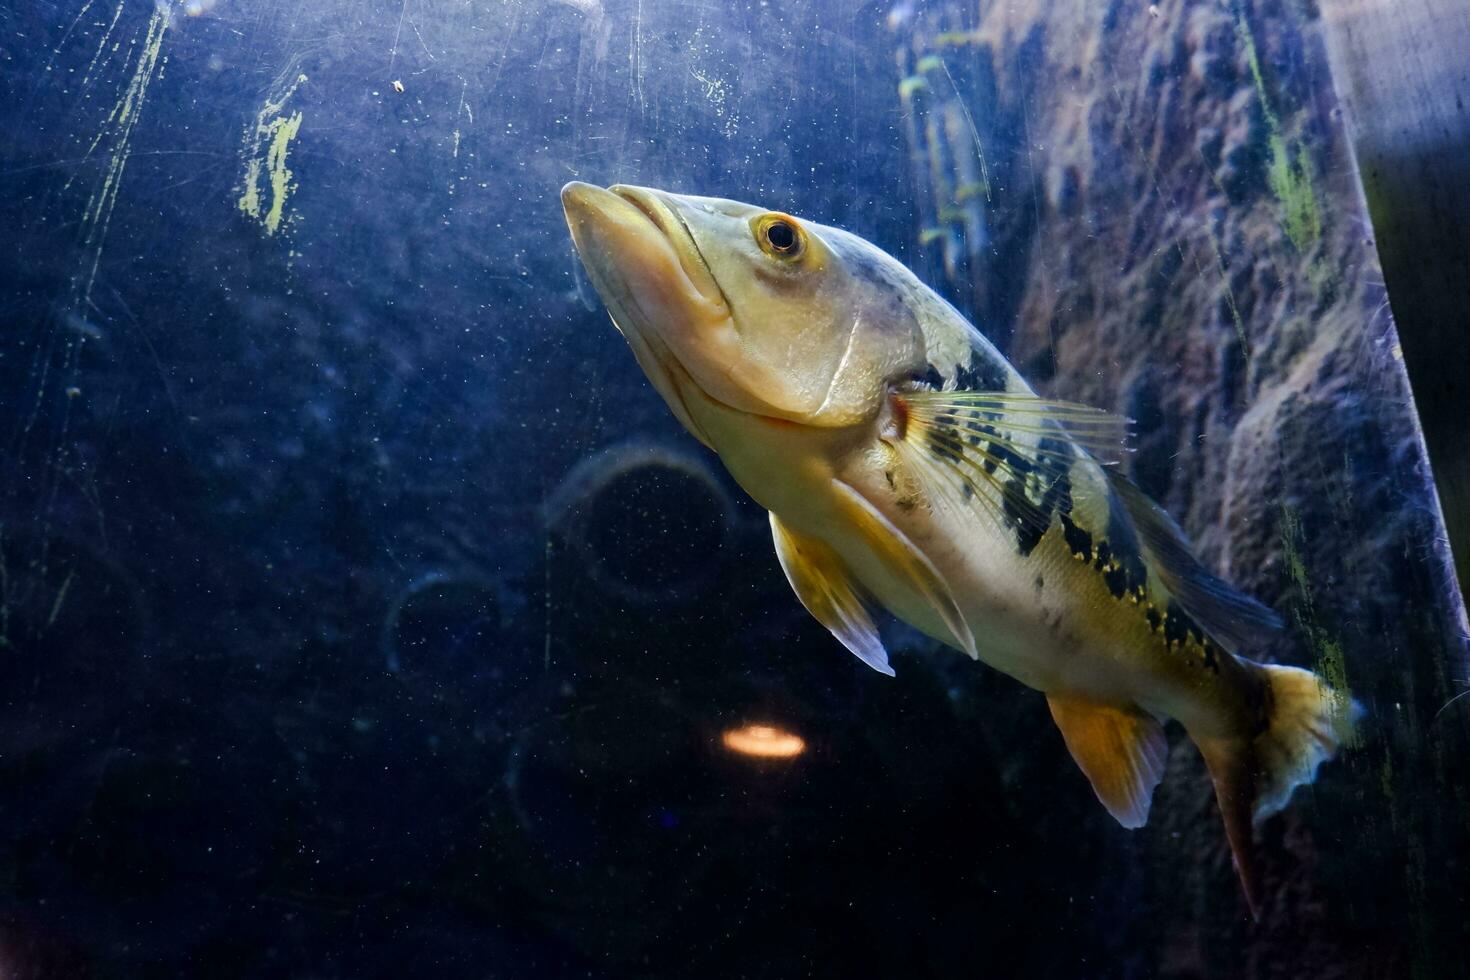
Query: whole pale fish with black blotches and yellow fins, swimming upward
909, 468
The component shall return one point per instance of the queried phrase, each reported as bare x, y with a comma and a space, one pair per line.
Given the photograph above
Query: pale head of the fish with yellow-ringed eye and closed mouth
758, 311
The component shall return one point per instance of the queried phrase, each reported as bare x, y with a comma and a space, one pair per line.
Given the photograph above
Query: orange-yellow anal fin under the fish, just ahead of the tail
1122, 752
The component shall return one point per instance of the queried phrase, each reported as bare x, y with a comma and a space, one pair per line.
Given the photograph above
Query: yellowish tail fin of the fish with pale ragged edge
1255, 778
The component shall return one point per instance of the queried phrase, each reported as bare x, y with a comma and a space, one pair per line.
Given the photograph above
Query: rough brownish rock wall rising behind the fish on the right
1188, 227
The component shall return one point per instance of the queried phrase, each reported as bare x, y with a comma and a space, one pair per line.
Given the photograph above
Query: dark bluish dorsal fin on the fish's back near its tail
1230, 616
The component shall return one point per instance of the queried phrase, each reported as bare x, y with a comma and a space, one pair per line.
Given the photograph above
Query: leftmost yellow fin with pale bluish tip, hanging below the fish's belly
827, 590
